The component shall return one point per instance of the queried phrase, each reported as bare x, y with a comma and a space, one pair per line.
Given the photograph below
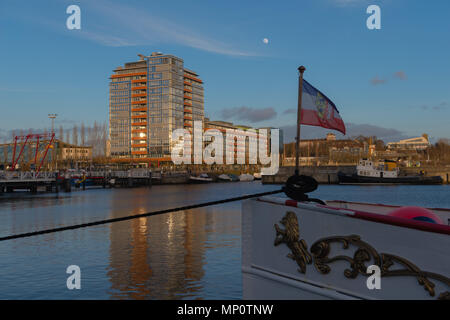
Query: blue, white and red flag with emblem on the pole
318, 110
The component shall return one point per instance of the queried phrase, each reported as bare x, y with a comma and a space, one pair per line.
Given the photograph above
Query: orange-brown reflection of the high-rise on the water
160, 257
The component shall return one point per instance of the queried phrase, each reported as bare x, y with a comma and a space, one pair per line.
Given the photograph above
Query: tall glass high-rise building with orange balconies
149, 99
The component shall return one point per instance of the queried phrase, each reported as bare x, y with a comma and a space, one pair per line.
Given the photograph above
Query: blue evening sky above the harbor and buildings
393, 82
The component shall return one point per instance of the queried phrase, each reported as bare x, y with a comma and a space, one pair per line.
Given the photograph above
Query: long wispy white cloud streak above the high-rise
128, 26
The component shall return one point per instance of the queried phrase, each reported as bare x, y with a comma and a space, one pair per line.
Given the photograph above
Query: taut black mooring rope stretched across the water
148, 214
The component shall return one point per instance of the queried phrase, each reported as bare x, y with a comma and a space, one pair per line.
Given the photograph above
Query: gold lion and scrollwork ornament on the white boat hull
364, 253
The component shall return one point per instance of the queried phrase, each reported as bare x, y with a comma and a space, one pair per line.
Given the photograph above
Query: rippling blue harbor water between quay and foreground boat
194, 254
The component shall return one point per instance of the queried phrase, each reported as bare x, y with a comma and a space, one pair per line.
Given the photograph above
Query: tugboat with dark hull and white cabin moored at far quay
383, 172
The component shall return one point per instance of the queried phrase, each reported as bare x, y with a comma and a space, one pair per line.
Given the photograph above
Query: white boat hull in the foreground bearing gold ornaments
268, 272
